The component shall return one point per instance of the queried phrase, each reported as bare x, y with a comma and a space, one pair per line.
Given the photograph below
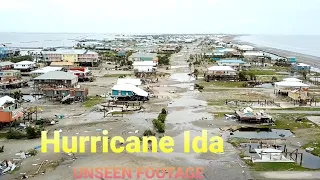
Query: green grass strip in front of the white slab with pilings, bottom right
275, 166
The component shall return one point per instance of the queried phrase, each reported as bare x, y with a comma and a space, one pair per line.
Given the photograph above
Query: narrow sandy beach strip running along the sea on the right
303, 58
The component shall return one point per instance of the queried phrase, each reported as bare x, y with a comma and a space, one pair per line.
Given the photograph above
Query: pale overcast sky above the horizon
161, 16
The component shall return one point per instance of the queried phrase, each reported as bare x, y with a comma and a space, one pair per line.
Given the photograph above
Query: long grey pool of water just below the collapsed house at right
275, 133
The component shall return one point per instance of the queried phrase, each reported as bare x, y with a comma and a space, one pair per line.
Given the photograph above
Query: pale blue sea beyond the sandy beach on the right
303, 44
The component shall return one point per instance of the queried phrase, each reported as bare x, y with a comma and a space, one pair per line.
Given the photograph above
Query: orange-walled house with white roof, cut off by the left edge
10, 110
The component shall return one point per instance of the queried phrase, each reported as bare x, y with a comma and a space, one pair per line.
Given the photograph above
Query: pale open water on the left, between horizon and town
33, 40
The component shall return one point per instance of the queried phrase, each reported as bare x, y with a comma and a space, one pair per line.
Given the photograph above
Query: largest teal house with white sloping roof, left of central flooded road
129, 92
